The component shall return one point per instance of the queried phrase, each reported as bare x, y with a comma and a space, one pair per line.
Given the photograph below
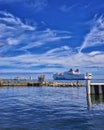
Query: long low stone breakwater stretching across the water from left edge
40, 83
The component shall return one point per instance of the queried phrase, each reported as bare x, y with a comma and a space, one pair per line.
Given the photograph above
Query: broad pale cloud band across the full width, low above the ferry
63, 56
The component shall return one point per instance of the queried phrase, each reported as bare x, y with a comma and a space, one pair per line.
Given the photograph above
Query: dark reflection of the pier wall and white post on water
95, 101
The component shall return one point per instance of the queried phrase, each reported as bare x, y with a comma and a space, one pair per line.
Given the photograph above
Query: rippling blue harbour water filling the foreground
49, 108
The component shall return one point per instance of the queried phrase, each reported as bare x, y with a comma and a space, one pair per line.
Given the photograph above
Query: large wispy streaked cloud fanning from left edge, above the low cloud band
14, 32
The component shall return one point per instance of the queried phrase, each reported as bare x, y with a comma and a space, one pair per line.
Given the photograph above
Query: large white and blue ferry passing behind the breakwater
72, 75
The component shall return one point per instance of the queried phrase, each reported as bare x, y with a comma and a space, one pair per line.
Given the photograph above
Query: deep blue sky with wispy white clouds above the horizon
51, 35
